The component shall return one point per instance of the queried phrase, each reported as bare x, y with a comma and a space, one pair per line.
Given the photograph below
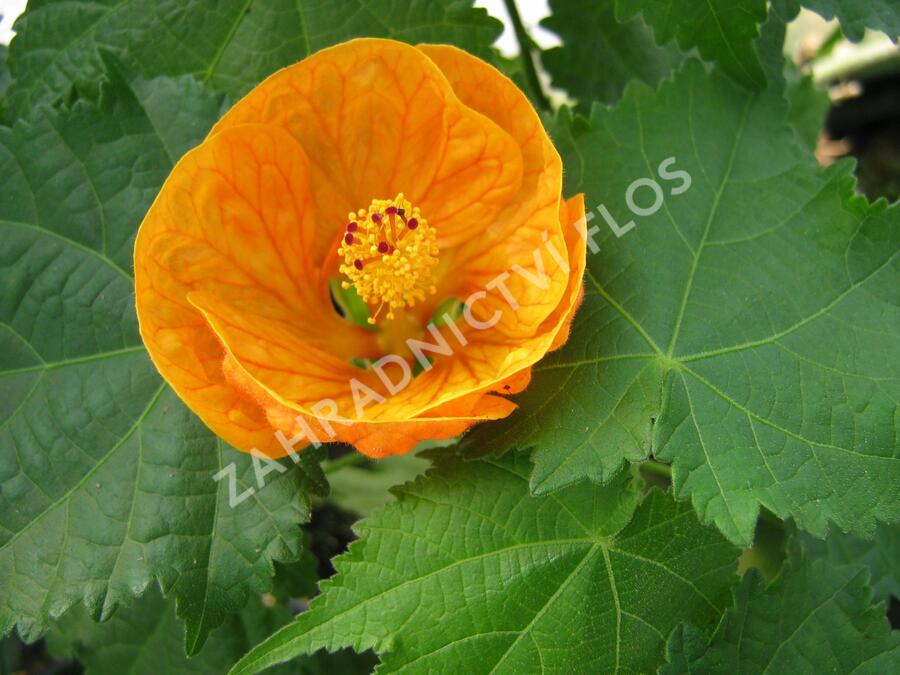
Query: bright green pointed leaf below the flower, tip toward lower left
469, 573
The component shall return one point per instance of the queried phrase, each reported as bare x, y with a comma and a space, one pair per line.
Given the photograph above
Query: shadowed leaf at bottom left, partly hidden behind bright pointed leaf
146, 638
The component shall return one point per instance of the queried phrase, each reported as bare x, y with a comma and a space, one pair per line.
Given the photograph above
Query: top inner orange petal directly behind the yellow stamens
376, 117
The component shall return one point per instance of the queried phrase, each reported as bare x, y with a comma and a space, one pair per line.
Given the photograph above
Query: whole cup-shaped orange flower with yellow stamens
412, 175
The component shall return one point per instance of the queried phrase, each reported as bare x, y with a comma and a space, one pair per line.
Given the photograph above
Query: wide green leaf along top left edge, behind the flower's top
229, 44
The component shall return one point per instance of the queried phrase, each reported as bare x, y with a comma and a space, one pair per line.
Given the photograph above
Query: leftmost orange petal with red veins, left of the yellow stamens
231, 228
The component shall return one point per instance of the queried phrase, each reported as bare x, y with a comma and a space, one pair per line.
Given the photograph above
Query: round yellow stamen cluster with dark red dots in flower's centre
389, 253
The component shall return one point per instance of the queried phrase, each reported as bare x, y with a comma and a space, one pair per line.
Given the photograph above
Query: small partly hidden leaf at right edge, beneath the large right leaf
880, 555
